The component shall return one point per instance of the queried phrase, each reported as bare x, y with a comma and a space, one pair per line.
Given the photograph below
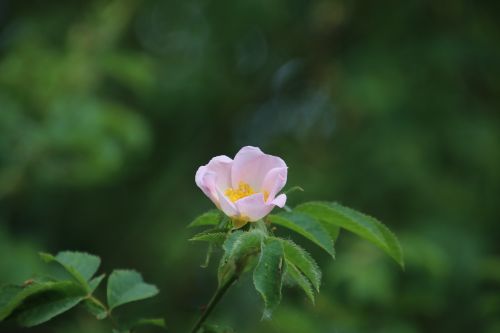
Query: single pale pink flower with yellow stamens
246, 188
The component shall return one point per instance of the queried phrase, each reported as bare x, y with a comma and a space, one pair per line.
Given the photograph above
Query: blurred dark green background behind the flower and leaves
107, 108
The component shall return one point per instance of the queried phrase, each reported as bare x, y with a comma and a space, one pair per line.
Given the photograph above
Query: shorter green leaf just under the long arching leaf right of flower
306, 226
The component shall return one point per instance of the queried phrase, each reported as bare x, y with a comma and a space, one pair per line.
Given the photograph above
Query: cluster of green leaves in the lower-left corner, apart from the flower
41, 299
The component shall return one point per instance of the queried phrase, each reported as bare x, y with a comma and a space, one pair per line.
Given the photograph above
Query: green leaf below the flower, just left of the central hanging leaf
239, 249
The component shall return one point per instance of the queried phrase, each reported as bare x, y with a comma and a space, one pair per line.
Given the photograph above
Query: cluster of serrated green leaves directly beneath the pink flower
275, 260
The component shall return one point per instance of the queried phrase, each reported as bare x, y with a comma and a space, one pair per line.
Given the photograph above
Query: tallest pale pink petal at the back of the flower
251, 165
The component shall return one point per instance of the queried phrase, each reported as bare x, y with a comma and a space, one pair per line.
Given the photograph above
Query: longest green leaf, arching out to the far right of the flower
361, 224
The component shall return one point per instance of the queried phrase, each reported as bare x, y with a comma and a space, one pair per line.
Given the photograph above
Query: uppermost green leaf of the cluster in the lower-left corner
81, 266
